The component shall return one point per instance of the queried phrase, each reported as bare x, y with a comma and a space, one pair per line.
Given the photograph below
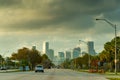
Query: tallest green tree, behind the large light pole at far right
108, 54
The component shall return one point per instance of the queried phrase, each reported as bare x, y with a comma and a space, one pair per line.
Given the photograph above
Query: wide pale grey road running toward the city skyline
51, 74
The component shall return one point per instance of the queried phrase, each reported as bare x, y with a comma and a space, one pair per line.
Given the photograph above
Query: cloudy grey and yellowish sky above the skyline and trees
27, 23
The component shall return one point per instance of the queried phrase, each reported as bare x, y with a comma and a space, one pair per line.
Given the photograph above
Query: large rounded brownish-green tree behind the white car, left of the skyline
27, 57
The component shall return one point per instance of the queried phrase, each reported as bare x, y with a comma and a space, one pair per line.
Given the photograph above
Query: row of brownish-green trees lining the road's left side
26, 57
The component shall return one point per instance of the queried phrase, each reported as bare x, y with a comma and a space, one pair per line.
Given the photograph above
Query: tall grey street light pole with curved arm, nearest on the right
114, 26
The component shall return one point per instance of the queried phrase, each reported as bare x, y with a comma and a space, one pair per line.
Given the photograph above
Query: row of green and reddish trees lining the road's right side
105, 59
